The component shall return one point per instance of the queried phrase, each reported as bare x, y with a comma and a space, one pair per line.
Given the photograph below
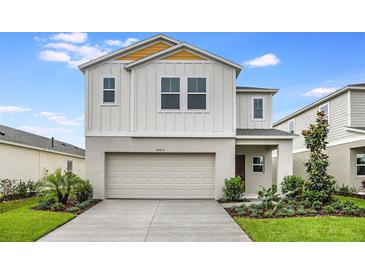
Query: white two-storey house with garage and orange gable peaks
164, 119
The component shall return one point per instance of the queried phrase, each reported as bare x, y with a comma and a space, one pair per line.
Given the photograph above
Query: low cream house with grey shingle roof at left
25, 156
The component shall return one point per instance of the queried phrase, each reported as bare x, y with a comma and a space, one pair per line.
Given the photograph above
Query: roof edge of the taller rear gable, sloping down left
113, 54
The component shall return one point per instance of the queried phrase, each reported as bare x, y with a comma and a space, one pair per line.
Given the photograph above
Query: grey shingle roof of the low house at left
12, 135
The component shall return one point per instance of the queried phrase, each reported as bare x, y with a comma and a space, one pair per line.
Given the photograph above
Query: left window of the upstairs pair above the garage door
170, 93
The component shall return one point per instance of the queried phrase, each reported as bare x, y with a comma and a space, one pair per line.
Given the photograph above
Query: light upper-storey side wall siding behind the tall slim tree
338, 120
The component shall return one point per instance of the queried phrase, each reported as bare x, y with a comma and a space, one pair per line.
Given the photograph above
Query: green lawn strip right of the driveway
305, 229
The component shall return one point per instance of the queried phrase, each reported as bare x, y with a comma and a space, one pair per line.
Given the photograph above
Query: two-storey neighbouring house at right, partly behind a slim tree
345, 110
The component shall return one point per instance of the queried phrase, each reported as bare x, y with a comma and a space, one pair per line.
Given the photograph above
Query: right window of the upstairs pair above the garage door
197, 93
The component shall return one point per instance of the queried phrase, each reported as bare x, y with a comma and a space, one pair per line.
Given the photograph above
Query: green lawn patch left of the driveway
18, 223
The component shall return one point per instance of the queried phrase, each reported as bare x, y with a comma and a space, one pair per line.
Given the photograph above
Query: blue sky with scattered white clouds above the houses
41, 90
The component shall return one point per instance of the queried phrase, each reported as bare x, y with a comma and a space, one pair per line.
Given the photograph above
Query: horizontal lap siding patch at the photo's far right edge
357, 108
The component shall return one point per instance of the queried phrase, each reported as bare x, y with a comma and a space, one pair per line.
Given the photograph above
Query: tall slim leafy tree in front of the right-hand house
320, 185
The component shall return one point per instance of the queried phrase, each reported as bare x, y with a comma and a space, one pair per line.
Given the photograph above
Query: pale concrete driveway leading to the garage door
151, 221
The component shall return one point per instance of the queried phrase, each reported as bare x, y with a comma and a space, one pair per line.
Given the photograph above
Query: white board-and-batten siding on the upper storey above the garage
139, 90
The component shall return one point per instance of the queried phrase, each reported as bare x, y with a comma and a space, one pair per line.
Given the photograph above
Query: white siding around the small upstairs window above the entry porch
245, 110
